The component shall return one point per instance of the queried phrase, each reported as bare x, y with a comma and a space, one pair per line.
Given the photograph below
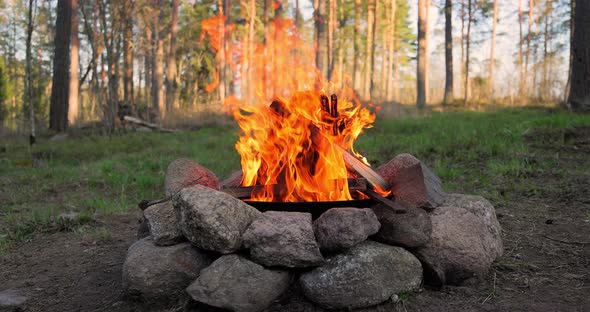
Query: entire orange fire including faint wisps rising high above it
290, 149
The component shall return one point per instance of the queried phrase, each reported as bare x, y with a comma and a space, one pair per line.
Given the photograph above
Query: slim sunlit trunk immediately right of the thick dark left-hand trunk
73, 107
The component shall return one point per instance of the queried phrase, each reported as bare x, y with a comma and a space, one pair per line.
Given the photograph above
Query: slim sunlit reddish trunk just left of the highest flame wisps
171, 102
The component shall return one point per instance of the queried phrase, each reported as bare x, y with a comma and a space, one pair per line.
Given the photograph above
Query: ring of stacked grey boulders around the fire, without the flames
209, 247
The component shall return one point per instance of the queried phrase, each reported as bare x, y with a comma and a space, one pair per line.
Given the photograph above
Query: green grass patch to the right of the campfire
469, 151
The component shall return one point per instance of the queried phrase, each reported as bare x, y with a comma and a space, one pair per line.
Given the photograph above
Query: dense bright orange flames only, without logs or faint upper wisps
290, 147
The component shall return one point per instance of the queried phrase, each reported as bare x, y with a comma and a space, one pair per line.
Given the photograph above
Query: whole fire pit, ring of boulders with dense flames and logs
307, 213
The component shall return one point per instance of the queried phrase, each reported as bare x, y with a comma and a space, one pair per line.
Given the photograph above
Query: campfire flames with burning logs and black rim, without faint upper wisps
301, 150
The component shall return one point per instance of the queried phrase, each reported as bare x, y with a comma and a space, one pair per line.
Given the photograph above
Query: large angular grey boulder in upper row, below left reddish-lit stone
212, 220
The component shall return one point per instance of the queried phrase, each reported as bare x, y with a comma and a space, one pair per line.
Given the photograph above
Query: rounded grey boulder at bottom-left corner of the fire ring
156, 273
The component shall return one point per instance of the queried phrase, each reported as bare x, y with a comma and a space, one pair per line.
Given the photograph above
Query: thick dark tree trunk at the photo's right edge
579, 98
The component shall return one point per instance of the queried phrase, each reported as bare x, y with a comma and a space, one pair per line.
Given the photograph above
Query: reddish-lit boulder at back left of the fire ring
184, 172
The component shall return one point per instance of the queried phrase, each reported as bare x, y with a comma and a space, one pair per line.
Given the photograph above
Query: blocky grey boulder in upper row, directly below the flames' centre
283, 239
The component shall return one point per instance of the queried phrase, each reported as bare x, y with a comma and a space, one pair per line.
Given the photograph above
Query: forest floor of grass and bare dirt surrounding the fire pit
533, 165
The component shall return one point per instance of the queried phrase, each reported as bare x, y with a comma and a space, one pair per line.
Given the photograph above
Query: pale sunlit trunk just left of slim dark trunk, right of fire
422, 68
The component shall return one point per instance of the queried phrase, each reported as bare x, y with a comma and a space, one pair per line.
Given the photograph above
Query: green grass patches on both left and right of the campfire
475, 152
